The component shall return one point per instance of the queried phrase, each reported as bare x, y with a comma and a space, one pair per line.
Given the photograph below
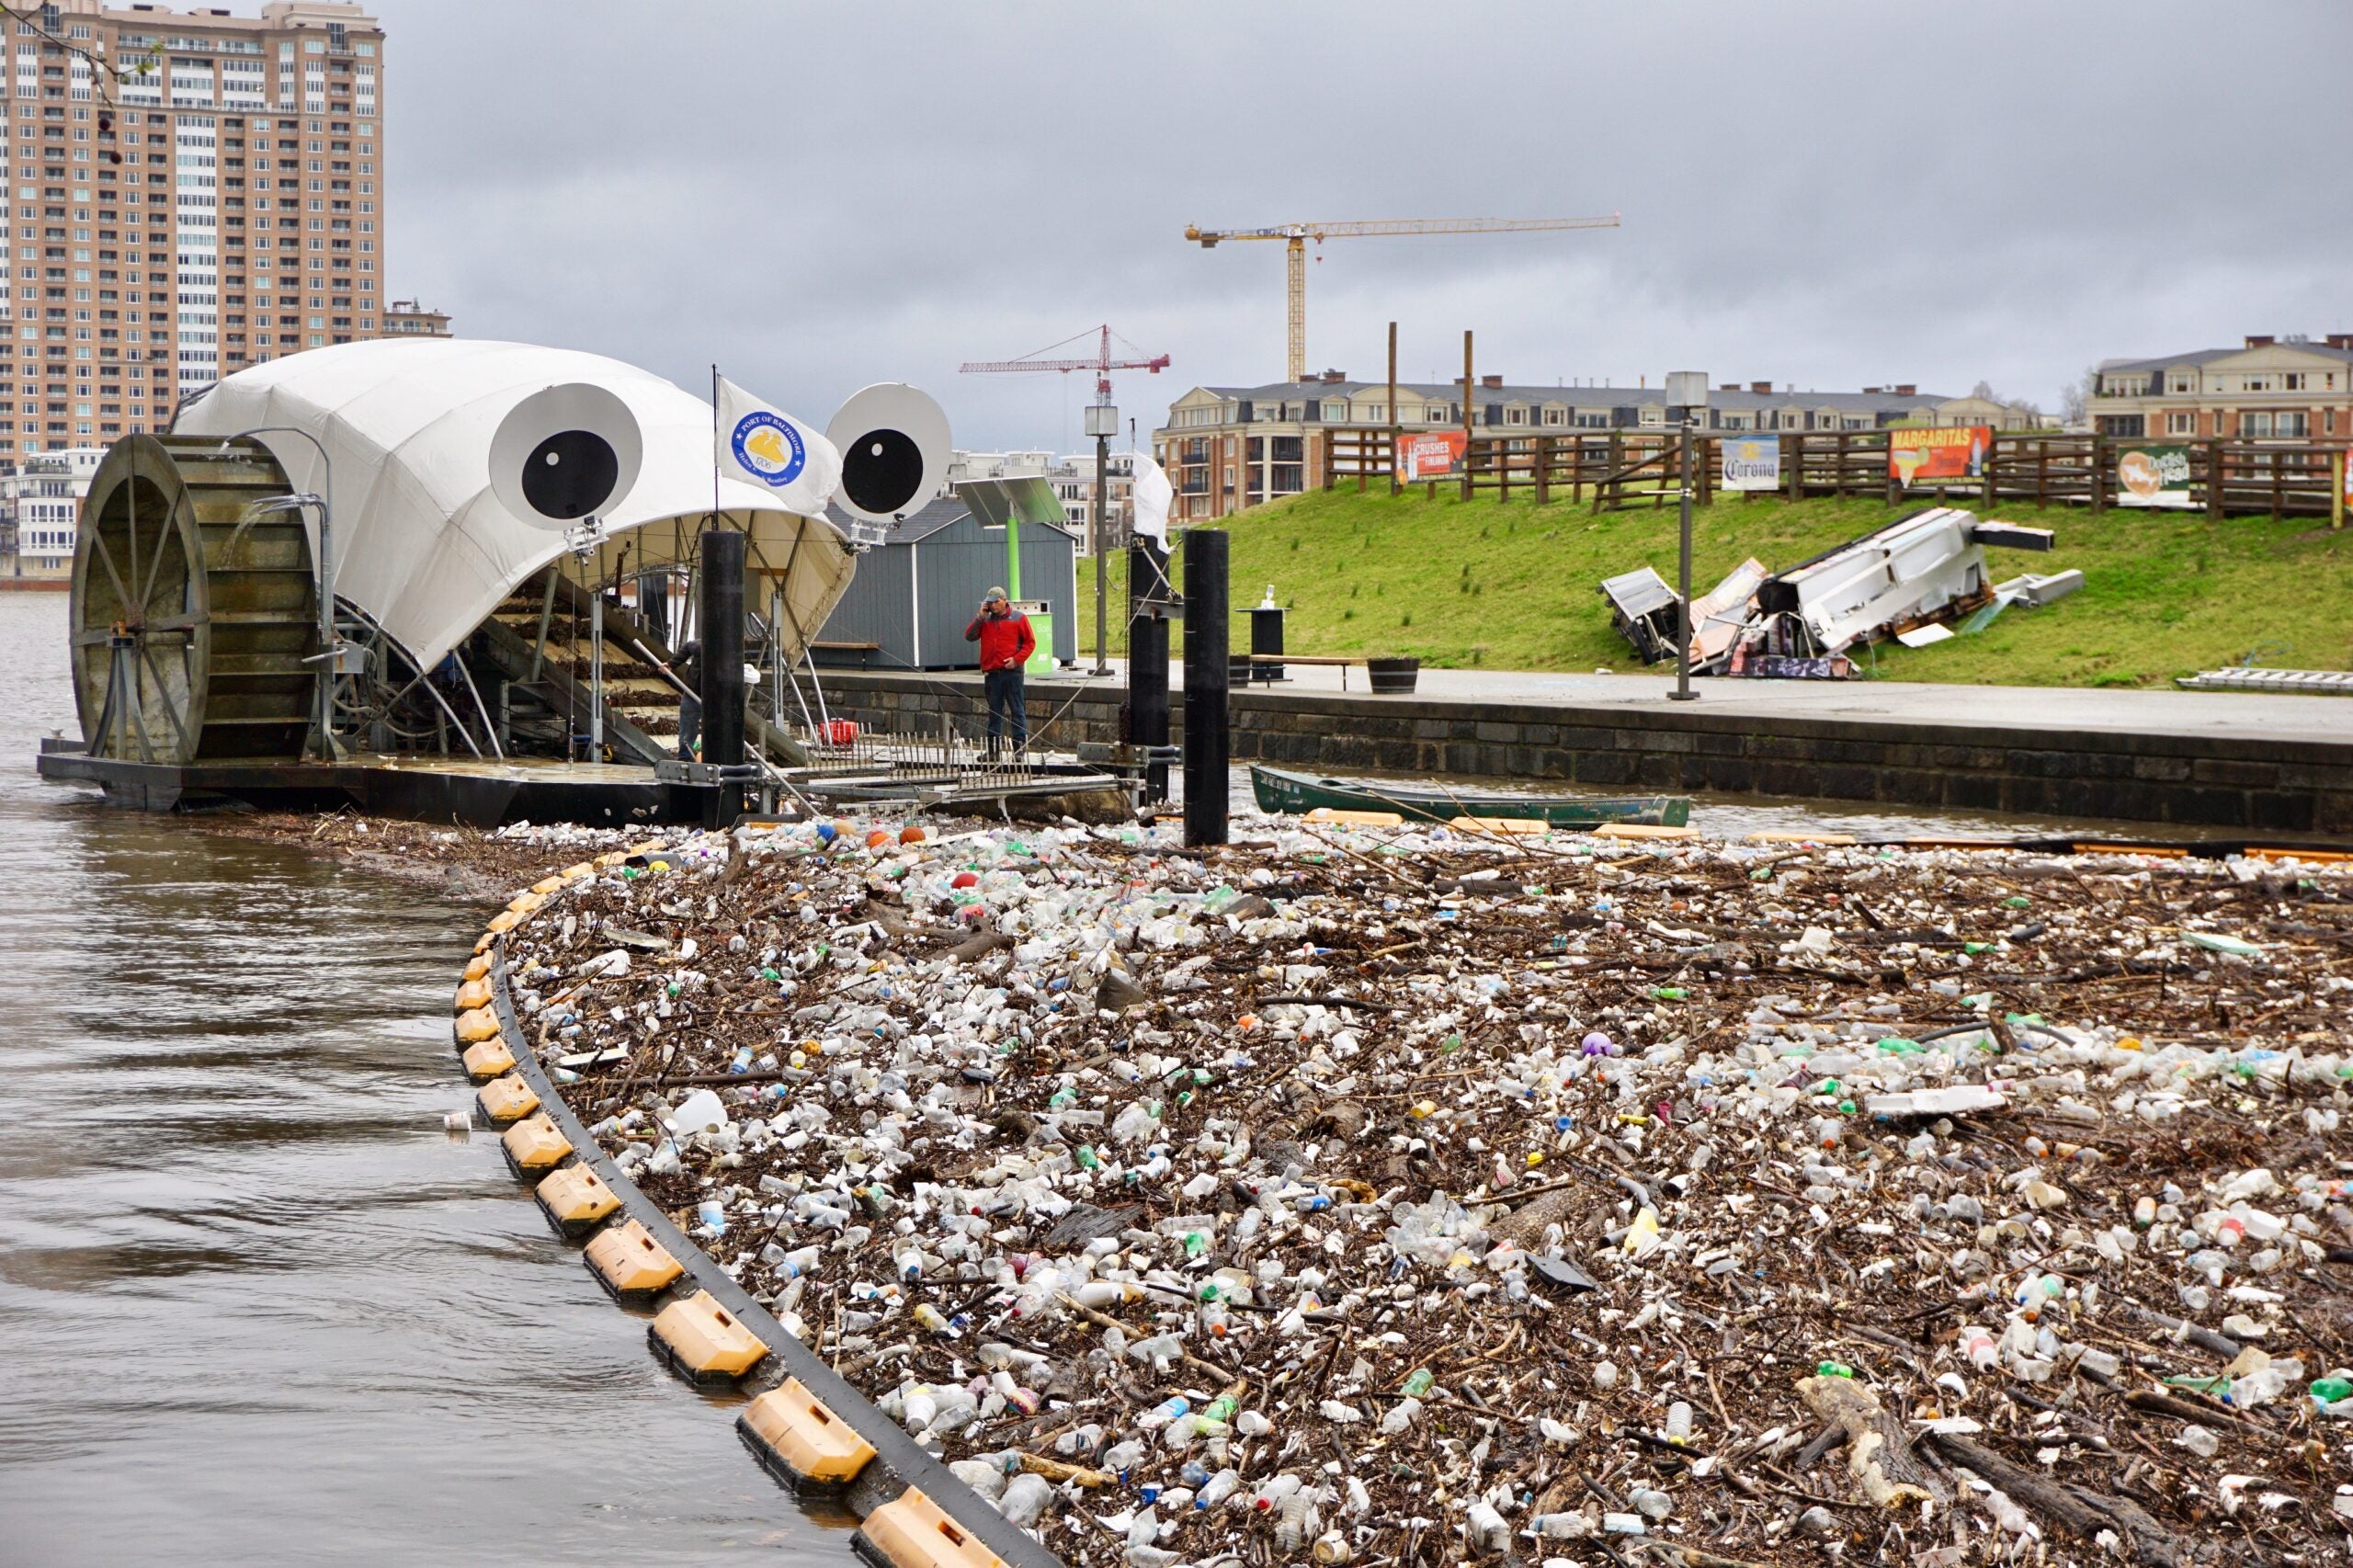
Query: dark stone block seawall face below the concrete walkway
2189, 780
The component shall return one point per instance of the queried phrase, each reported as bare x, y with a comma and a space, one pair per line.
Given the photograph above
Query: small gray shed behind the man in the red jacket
919, 590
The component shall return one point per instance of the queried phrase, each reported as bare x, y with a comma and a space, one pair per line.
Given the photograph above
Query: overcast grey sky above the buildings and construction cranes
1820, 194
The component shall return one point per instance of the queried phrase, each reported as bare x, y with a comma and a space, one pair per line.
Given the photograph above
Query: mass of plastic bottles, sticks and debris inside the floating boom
1378, 1195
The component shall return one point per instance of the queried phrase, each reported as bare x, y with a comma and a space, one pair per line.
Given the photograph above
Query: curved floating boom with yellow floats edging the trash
900, 1468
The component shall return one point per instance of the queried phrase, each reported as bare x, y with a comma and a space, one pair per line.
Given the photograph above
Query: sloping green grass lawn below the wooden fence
1517, 585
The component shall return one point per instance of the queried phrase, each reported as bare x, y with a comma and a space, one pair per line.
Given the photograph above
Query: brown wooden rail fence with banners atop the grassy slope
1618, 470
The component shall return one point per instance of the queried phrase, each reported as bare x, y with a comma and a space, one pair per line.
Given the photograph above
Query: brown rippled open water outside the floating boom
255, 1305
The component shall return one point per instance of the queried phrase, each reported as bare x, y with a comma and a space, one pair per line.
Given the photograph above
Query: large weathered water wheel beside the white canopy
194, 606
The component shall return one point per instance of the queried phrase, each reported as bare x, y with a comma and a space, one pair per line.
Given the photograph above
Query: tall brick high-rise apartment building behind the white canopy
187, 194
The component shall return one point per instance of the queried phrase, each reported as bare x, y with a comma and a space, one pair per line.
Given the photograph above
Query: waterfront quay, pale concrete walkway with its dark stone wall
2197, 759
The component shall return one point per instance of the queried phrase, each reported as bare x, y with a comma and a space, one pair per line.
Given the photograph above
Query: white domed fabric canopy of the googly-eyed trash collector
425, 545
